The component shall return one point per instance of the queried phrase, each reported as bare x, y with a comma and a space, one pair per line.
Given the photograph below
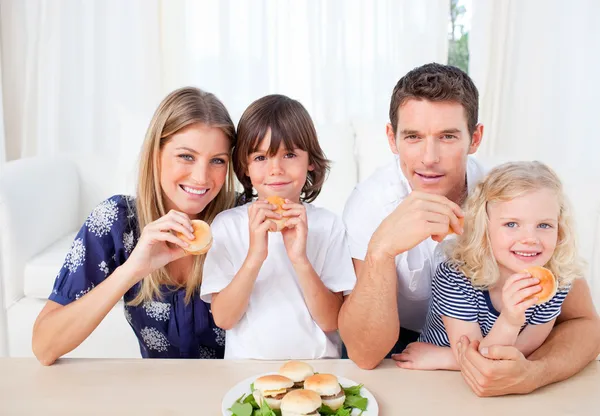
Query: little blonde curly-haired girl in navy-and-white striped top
517, 217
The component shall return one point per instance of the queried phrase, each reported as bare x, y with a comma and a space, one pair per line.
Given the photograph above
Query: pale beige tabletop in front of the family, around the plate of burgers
196, 387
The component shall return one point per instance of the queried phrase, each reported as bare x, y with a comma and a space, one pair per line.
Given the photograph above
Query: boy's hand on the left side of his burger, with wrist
259, 224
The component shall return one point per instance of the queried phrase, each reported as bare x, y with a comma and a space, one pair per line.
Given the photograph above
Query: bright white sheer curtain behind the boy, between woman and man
340, 58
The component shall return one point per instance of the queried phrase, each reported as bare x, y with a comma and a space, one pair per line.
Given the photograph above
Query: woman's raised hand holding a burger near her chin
158, 246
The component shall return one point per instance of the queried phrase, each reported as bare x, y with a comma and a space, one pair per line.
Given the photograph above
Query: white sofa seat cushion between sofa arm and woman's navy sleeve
41, 270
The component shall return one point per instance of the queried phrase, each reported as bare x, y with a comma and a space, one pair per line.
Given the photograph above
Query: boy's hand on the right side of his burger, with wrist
295, 232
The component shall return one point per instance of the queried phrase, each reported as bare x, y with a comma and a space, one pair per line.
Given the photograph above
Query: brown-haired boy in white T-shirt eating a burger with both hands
278, 294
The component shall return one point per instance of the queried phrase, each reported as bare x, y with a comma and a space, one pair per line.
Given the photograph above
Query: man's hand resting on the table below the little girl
497, 370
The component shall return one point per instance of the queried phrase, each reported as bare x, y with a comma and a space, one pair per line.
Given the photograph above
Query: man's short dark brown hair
436, 82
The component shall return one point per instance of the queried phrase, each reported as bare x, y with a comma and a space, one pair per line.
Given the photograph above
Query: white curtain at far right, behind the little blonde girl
537, 66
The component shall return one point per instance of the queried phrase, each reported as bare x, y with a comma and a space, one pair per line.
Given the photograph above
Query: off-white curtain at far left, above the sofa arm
73, 71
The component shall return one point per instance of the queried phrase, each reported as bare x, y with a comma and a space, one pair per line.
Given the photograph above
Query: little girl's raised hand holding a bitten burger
515, 292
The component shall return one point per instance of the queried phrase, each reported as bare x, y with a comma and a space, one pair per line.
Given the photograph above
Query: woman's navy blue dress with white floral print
165, 328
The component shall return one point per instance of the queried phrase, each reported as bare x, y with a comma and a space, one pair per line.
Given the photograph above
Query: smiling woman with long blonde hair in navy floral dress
127, 248
